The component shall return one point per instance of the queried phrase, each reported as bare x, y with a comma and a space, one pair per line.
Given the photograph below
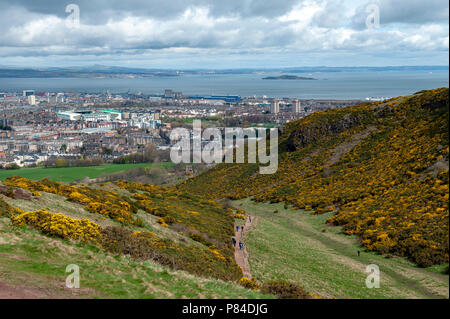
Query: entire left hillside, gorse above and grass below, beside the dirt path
132, 240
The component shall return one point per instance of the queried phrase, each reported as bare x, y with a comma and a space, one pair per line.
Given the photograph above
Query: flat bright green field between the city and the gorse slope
70, 174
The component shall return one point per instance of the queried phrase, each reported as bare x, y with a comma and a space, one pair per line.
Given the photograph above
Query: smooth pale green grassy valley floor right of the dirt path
297, 246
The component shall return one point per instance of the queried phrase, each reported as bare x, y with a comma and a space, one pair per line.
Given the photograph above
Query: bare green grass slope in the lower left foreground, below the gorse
35, 265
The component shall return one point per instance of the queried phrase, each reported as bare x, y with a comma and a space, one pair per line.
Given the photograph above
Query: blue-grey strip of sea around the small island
329, 85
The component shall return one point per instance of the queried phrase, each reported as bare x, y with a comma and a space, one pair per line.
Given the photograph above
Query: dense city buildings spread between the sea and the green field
38, 126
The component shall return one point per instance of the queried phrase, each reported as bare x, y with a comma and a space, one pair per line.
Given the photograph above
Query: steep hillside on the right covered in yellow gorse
380, 168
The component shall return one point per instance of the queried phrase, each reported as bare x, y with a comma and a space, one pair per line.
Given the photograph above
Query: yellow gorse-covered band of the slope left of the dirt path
129, 205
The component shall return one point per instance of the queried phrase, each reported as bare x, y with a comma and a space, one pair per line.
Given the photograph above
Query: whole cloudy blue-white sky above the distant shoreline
224, 34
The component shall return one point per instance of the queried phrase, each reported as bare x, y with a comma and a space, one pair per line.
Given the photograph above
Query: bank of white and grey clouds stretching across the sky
295, 27
